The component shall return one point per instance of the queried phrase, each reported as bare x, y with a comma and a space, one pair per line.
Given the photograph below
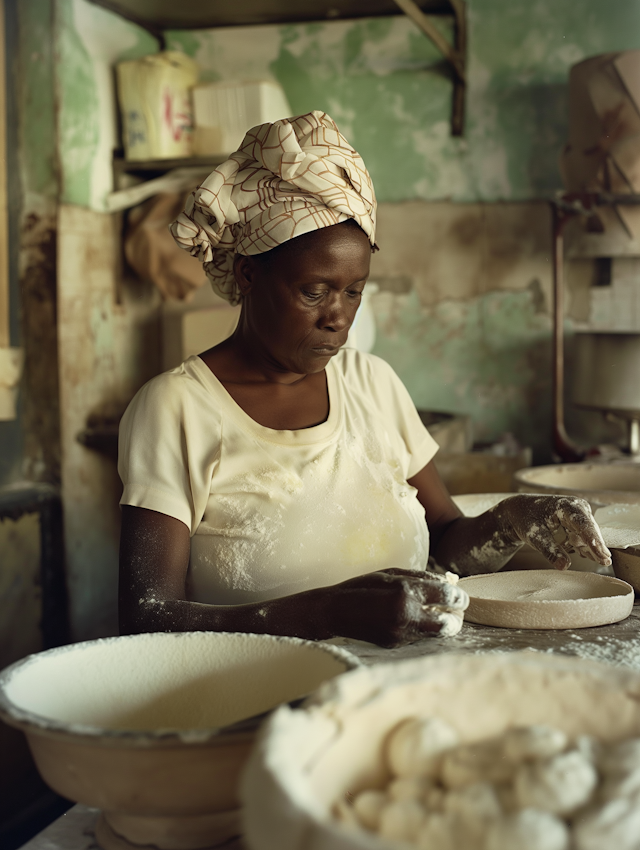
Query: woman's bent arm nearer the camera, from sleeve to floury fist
386, 608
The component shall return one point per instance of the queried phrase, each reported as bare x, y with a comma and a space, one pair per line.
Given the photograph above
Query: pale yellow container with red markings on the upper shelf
155, 101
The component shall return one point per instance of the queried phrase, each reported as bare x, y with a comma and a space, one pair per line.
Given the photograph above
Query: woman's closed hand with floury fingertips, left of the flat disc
394, 607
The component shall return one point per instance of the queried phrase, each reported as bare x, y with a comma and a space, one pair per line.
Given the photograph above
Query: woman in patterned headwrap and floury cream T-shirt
278, 482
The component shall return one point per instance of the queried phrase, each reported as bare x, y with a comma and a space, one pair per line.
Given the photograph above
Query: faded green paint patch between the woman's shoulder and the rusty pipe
487, 356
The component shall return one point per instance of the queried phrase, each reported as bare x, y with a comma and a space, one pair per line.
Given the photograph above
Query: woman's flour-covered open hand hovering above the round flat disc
554, 525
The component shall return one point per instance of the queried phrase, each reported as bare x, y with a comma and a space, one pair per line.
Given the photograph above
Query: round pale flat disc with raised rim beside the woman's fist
546, 599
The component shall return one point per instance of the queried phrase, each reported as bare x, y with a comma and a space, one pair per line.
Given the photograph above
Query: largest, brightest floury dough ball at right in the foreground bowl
560, 785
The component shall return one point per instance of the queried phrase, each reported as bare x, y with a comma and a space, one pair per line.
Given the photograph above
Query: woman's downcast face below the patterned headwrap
301, 298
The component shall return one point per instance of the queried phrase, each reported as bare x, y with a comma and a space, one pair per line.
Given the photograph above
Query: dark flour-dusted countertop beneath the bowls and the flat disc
618, 644
